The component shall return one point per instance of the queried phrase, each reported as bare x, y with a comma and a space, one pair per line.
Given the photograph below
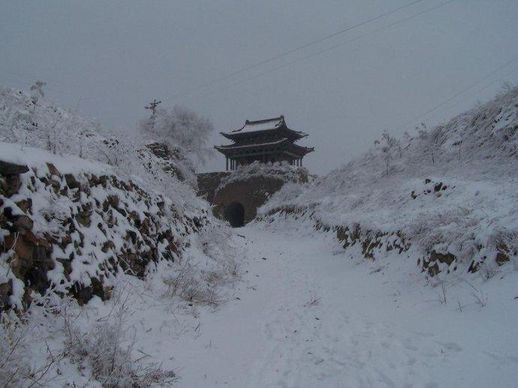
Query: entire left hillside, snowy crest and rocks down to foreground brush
85, 215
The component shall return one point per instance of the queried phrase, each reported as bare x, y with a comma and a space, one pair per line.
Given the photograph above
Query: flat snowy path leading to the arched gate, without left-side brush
305, 317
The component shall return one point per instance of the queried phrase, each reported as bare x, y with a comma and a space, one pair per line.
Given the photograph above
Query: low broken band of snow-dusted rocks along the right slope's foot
373, 243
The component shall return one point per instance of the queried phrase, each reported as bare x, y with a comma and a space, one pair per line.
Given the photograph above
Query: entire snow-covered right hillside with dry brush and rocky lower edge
449, 194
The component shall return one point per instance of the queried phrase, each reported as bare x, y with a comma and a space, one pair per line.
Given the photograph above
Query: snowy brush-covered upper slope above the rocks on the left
32, 120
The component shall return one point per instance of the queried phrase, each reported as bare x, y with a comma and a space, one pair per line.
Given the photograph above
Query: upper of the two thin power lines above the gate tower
302, 47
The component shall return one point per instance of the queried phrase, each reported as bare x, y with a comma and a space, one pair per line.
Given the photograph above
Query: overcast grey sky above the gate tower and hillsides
108, 58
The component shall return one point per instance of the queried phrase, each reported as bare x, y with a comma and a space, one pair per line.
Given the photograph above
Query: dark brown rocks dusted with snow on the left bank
71, 233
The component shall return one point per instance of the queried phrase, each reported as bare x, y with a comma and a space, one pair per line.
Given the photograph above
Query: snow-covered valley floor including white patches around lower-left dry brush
308, 313
